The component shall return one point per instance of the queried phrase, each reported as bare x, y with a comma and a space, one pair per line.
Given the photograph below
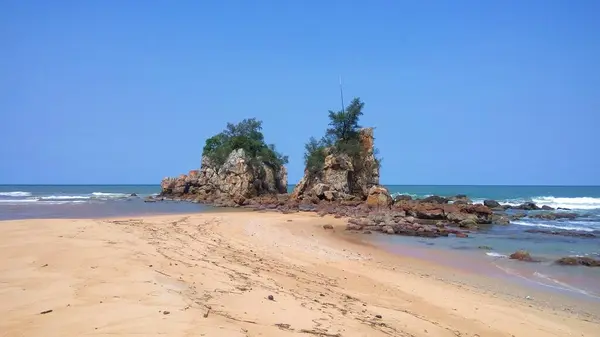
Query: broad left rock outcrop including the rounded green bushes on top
236, 165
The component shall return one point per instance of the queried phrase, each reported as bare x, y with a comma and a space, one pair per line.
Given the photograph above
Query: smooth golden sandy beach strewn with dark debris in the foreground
250, 274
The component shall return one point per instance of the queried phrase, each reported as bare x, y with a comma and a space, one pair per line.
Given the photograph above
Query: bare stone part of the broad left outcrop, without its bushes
234, 182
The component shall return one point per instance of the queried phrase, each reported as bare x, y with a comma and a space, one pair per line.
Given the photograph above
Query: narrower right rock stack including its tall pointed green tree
344, 162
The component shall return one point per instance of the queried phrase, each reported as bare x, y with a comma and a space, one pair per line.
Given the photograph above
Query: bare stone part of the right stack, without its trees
341, 177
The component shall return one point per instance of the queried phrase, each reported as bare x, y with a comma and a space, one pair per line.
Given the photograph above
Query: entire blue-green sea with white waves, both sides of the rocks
487, 248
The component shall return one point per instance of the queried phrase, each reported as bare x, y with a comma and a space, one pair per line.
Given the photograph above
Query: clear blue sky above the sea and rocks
460, 92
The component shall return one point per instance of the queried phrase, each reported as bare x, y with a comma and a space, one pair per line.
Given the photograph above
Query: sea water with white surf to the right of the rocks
488, 249
